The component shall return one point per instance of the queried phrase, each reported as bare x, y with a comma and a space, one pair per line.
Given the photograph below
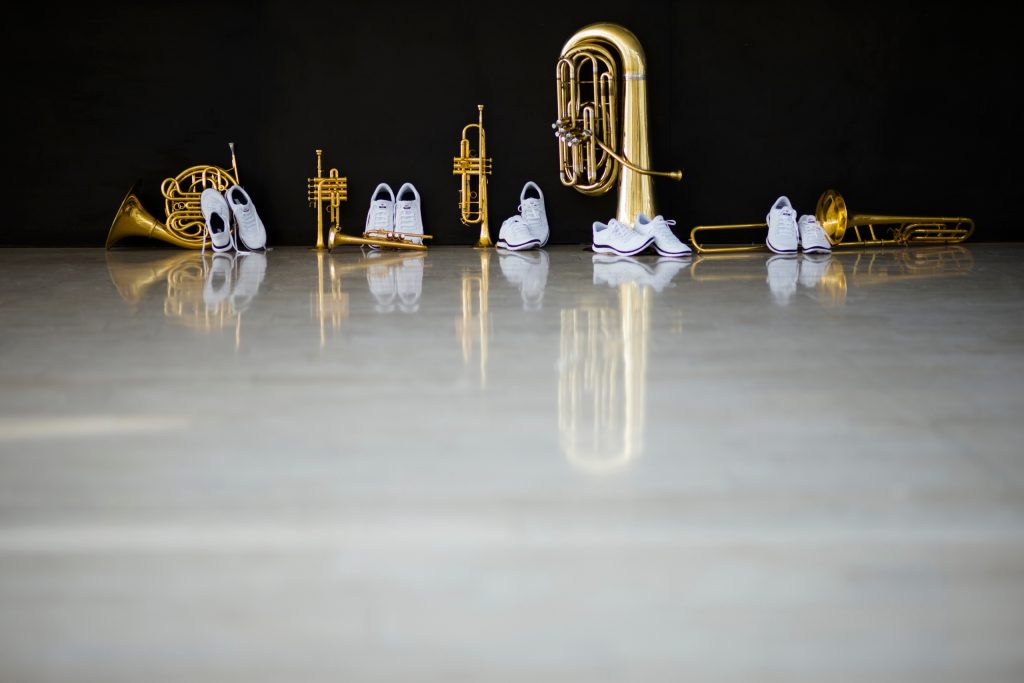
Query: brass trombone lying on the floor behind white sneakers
837, 223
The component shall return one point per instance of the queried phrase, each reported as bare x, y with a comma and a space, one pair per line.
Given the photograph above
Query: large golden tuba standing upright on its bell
589, 121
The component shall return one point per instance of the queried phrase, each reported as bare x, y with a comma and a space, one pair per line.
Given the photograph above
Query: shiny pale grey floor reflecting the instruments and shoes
474, 466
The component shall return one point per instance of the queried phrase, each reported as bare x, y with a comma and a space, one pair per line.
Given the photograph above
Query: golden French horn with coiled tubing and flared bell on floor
186, 226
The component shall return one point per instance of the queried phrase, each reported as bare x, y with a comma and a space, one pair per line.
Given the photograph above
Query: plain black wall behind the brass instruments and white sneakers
902, 107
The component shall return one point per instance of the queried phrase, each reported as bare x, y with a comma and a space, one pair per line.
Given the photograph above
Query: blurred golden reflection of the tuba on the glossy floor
603, 381
